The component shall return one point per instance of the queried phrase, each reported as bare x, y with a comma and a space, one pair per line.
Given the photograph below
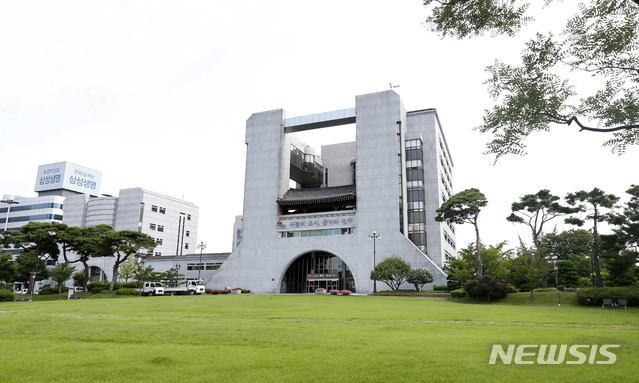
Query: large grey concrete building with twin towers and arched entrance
389, 181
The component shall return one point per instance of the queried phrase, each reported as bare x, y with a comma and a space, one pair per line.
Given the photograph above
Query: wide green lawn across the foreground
305, 338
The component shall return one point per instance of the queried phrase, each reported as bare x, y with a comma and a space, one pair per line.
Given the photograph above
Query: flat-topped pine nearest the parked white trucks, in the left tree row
122, 245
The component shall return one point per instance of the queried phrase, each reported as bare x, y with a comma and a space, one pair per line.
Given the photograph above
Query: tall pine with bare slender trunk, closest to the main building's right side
464, 207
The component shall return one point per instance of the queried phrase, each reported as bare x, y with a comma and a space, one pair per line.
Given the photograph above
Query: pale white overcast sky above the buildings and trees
155, 94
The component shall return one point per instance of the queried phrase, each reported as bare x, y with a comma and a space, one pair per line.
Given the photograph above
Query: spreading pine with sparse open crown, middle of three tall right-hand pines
535, 210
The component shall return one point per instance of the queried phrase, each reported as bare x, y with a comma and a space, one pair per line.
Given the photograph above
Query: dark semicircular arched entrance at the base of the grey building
317, 269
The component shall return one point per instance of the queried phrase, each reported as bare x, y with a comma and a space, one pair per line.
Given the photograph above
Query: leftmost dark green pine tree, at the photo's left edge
38, 242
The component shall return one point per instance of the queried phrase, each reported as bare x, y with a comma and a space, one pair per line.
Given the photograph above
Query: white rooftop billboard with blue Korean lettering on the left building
69, 176
